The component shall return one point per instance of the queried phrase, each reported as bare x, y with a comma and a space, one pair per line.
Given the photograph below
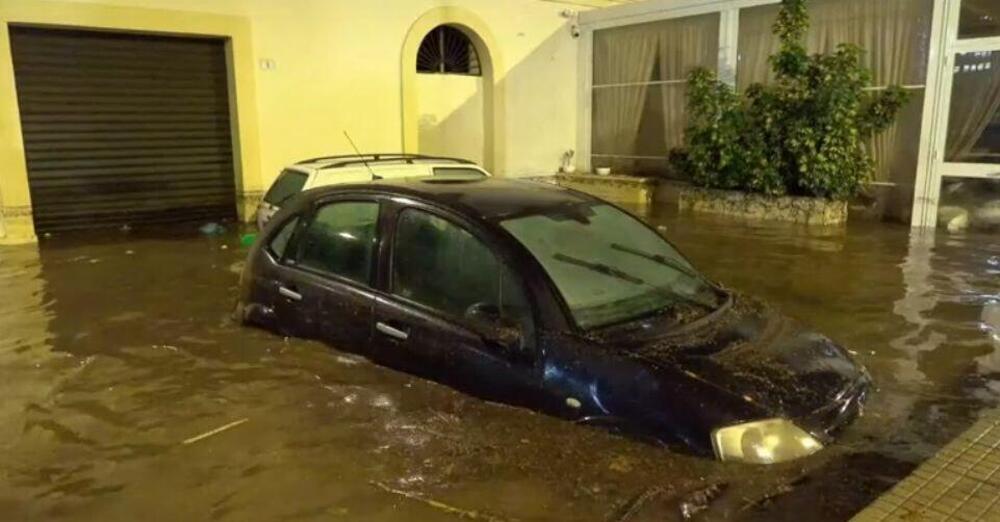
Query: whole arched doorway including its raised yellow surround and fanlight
452, 102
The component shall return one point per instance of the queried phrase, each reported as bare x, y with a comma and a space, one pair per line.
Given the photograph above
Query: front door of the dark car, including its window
446, 297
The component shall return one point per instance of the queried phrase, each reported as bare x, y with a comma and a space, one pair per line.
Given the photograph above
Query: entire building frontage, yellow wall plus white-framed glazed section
112, 108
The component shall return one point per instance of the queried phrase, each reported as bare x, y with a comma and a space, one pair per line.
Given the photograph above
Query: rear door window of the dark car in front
340, 240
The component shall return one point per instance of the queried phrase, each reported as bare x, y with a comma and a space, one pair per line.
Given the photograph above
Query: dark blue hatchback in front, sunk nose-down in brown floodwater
543, 297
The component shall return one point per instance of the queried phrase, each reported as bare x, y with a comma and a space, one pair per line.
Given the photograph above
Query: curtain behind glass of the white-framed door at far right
975, 100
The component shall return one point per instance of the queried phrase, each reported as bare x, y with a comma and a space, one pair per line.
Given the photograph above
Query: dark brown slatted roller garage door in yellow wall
123, 128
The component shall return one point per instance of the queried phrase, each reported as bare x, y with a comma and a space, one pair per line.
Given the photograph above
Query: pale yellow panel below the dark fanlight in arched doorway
451, 116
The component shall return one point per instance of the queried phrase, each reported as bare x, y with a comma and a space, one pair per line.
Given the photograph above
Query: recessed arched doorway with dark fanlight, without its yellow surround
450, 96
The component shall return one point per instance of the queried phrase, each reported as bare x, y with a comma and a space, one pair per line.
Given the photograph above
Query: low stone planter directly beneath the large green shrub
789, 209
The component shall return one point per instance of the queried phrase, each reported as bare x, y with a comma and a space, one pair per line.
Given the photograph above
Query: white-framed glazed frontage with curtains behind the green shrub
941, 158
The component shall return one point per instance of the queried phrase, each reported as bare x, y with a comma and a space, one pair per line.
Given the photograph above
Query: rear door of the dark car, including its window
324, 287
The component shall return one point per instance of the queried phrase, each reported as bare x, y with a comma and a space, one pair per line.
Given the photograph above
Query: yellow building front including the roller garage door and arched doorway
110, 106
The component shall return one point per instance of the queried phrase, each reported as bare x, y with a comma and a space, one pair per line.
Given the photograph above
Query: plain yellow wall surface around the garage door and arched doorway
336, 66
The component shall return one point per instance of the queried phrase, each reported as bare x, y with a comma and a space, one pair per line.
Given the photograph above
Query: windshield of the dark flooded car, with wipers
609, 267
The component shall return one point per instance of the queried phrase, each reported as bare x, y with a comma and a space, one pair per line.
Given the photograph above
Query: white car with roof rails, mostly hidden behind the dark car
332, 170
